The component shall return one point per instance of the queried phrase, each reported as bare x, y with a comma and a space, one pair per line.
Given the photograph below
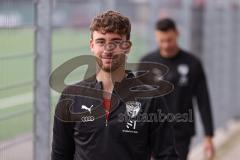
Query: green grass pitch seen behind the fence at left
66, 44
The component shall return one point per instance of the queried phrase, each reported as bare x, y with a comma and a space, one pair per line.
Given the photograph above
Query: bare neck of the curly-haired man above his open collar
109, 78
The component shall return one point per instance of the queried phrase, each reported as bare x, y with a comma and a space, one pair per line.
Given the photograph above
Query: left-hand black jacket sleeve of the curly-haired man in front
63, 147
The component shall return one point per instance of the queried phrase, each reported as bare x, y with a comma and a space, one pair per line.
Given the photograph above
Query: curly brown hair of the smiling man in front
112, 22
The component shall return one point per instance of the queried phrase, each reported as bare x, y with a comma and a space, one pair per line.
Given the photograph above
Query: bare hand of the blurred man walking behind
208, 148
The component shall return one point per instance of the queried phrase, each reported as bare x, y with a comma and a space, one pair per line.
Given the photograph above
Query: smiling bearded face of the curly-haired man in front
110, 50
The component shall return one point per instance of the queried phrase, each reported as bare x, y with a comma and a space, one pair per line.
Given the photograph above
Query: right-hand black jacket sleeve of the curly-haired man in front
162, 138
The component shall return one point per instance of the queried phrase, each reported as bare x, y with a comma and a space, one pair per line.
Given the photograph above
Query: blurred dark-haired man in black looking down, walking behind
187, 76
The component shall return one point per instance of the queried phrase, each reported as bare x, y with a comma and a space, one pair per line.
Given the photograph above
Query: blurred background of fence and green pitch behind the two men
210, 29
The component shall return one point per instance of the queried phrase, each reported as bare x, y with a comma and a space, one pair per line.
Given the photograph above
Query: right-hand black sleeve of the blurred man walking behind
202, 97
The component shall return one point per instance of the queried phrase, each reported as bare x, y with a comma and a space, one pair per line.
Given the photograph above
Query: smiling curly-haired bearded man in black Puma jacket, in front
99, 118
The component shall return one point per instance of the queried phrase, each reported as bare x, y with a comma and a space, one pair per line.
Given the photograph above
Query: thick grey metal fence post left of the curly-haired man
42, 116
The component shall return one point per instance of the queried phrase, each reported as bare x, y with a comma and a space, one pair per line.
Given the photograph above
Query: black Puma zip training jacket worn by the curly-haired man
82, 132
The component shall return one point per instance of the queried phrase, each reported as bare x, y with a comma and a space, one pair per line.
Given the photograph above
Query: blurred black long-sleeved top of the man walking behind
187, 76
